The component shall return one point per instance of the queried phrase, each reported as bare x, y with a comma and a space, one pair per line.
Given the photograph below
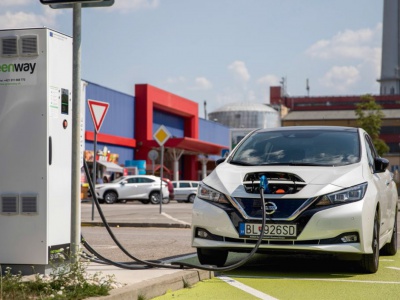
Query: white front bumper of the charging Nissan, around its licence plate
322, 233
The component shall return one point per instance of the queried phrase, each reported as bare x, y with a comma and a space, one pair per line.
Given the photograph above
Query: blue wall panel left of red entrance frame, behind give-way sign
119, 119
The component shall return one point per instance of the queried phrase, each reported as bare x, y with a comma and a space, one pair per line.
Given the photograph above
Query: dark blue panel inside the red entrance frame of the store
174, 124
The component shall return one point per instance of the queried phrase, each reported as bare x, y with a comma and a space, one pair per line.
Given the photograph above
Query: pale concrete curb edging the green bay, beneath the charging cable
158, 286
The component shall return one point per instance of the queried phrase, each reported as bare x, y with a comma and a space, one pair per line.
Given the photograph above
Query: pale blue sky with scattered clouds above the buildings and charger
222, 51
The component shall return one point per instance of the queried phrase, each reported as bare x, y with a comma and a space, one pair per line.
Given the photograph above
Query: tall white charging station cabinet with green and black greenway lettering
35, 146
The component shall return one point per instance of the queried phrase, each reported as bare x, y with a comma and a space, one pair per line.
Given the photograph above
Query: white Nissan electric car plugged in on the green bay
327, 191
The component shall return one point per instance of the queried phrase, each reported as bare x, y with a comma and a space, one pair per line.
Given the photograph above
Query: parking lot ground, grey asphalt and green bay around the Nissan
264, 277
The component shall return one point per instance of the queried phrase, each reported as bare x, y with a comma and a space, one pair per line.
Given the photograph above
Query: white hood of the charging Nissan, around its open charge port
228, 178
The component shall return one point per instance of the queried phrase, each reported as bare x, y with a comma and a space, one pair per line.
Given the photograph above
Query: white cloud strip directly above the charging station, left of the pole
22, 20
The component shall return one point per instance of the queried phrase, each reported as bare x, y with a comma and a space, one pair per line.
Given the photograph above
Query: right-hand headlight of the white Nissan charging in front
351, 194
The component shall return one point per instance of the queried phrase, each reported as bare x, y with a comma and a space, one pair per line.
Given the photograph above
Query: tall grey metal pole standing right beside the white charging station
76, 132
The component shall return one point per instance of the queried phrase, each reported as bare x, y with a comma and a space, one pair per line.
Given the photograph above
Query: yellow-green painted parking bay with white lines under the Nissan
299, 277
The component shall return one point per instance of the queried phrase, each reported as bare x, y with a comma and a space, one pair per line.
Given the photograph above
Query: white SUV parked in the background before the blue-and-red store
145, 188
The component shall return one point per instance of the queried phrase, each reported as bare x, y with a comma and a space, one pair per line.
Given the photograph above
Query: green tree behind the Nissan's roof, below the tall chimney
370, 116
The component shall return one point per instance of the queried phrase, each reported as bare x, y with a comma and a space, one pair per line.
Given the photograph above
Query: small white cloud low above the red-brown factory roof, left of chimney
340, 77
